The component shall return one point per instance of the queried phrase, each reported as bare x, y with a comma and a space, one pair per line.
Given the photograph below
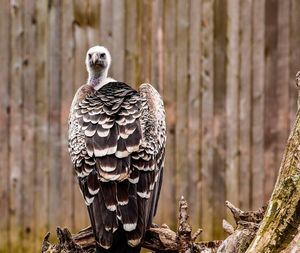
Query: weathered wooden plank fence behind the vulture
225, 69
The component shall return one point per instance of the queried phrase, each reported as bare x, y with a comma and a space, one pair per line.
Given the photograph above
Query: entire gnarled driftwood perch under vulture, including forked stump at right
163, 239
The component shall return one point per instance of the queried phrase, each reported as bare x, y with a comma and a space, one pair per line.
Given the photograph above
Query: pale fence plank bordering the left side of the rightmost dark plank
258, 69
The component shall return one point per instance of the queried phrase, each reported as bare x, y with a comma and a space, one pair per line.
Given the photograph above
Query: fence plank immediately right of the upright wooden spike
194, 111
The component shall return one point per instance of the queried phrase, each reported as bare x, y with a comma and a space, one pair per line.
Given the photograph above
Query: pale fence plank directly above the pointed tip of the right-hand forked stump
232, 103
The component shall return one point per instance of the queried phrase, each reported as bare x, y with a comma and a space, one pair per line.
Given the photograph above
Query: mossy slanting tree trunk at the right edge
282, 219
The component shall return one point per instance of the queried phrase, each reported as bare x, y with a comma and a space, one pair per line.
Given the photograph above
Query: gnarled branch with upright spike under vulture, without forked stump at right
157, 238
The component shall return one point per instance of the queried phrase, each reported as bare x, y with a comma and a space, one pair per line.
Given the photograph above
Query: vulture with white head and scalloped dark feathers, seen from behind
116, 141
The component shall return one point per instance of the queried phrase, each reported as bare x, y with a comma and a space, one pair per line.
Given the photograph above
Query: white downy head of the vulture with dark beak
97, 60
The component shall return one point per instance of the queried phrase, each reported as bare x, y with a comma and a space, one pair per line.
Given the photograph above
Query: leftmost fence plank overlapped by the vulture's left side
67, 93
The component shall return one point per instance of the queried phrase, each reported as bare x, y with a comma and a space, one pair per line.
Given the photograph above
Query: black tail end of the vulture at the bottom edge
119, 244
